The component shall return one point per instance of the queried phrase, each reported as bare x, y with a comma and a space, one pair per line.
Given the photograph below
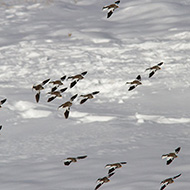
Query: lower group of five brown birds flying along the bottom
112, 167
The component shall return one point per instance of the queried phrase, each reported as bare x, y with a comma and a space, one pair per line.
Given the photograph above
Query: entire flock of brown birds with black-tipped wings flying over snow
57, 92
